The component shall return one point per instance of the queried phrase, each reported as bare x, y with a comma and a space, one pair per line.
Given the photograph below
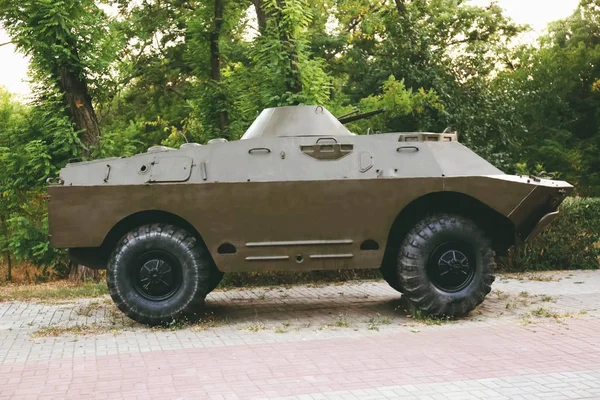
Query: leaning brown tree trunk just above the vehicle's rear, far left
79, 102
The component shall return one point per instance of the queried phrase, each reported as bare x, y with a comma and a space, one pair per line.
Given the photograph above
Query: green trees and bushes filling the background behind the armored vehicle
113, 77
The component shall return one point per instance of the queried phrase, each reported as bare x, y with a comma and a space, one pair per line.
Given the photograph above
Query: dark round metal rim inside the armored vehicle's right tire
452, 266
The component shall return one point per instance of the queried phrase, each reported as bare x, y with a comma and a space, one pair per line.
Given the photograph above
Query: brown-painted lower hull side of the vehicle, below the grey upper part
291, 225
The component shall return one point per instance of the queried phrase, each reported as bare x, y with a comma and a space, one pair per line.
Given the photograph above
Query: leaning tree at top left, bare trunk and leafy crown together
64, 39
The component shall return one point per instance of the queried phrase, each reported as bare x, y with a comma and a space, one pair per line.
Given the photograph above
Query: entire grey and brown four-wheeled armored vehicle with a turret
299, 192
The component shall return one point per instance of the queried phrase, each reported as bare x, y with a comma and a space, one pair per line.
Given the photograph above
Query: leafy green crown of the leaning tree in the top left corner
74, 34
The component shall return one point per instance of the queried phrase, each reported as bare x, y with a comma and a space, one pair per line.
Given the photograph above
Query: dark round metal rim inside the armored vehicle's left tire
156, 275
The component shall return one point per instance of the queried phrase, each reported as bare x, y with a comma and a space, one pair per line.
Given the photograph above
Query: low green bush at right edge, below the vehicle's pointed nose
571, 242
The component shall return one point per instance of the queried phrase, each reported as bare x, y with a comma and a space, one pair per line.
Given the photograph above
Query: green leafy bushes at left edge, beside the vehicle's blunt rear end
34, 144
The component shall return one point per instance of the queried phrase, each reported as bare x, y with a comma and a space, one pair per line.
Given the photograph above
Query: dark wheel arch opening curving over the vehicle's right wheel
499, 229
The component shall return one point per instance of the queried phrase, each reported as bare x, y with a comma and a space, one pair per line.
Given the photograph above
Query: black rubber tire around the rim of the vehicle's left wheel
193, 264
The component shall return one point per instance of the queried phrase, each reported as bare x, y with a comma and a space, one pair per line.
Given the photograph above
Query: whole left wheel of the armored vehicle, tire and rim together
159, 273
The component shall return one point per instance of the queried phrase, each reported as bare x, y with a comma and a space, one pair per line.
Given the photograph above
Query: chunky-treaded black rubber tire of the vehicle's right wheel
425, 239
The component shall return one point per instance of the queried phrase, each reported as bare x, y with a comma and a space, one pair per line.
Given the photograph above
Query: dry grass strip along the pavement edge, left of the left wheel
52, 292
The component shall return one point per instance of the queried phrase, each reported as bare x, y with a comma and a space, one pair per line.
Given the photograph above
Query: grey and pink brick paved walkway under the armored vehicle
536, 336
